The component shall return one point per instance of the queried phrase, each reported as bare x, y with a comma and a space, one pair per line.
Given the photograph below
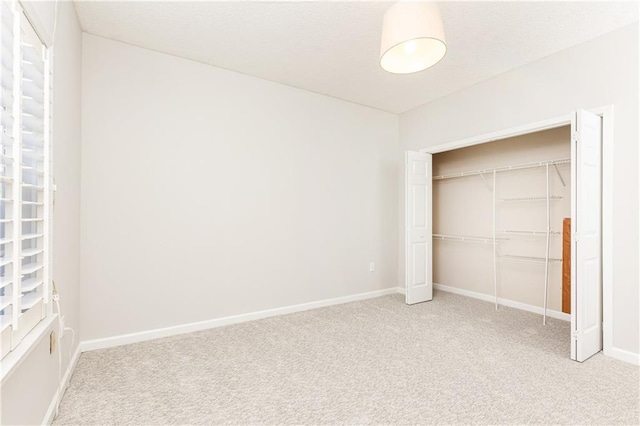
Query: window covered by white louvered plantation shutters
25, 183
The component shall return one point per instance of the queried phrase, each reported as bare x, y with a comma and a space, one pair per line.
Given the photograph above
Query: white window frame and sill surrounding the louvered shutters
25, 338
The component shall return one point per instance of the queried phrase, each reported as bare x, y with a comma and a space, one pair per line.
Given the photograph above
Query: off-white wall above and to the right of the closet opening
596, 73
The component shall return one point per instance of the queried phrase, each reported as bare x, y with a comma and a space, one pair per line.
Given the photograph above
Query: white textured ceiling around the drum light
332, 47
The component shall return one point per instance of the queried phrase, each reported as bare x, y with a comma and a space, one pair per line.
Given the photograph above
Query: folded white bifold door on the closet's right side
586, 247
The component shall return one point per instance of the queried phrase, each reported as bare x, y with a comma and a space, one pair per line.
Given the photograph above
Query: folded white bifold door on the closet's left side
418, 228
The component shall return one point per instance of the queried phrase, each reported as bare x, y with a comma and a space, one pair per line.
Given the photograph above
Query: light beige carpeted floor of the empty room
454, 360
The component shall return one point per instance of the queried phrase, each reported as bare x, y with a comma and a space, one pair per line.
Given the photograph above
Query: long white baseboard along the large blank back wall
125, 339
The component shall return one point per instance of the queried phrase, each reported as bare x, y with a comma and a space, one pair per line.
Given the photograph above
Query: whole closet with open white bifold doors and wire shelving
485, 219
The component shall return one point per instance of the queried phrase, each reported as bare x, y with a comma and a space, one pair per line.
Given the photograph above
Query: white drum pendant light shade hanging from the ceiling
412, 37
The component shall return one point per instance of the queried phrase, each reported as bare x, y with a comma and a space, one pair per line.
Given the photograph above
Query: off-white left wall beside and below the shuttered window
28, 392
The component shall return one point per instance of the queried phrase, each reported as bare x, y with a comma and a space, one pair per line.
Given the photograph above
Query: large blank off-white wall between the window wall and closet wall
208, 193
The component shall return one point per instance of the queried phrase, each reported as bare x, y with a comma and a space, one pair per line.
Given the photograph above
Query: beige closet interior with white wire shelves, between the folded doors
498, 212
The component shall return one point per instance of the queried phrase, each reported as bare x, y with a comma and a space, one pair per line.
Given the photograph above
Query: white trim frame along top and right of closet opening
606, 112
